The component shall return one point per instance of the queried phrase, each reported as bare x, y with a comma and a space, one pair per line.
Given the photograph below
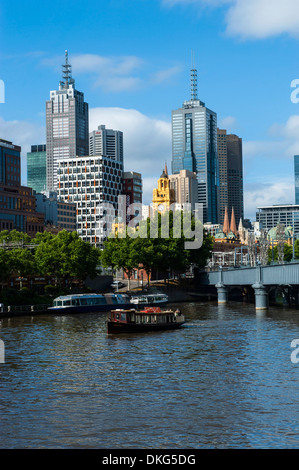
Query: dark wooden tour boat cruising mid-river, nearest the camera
147, 319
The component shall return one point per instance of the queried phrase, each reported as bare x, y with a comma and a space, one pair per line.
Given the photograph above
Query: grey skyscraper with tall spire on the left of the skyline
66, 124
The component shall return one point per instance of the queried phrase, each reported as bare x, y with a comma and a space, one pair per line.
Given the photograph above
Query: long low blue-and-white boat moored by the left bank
85, 303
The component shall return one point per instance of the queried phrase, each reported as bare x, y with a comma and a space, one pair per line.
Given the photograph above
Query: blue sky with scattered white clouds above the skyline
131, 58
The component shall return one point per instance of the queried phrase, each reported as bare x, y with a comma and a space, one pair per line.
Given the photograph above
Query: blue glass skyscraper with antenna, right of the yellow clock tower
194, 148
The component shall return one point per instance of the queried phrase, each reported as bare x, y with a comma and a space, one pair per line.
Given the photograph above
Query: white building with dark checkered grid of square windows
90, 182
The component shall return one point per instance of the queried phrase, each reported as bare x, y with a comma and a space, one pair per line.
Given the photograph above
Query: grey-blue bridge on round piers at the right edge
262, 279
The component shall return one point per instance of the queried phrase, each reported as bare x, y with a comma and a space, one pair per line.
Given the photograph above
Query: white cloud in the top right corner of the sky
253, 19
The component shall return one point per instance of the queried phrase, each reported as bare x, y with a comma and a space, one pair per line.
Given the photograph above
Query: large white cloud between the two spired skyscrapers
147, 142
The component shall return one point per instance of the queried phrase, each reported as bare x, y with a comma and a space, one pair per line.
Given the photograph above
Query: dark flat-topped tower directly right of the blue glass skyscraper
230, 175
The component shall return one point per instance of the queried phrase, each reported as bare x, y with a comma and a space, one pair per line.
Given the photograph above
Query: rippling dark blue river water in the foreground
225, 380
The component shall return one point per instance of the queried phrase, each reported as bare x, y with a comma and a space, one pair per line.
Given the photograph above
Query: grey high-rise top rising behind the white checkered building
107, 142
